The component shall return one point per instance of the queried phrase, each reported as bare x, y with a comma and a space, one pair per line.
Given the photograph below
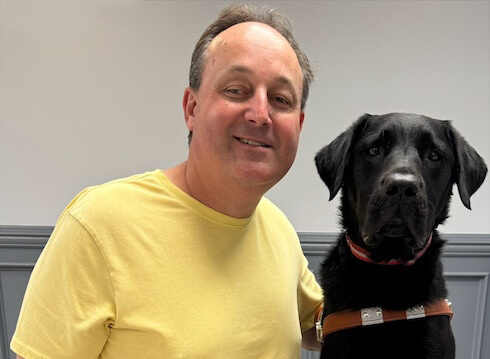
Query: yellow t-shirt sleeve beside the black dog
310, 297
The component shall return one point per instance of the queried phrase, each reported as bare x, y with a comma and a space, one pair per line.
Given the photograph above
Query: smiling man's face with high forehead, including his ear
246, 116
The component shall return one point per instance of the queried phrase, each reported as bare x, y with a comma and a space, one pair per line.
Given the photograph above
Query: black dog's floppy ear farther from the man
470, 169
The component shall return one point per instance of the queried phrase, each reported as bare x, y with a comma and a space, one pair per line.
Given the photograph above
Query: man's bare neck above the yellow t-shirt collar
230, 199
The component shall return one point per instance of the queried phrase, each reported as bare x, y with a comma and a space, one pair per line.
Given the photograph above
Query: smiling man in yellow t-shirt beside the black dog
191, 262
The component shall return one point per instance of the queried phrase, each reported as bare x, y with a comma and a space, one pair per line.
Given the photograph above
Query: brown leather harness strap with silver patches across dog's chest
376, 315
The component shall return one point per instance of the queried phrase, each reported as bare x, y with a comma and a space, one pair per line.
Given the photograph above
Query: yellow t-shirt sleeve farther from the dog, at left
69, 304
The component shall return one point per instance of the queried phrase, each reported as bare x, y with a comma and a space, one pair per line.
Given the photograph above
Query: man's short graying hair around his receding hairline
237, 13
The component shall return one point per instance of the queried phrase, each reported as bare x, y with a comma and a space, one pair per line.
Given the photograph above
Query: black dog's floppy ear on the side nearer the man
332, 160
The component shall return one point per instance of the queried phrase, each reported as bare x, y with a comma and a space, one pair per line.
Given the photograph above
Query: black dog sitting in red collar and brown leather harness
396, 172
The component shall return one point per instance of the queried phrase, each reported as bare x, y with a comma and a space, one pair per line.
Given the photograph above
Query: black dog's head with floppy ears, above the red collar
396, 172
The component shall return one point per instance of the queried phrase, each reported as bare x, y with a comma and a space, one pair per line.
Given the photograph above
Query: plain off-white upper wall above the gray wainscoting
91, 91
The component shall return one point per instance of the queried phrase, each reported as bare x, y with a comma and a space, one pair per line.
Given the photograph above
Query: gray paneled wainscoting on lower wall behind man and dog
466, 262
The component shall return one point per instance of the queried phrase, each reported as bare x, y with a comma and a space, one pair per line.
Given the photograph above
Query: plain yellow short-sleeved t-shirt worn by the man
136, 268
